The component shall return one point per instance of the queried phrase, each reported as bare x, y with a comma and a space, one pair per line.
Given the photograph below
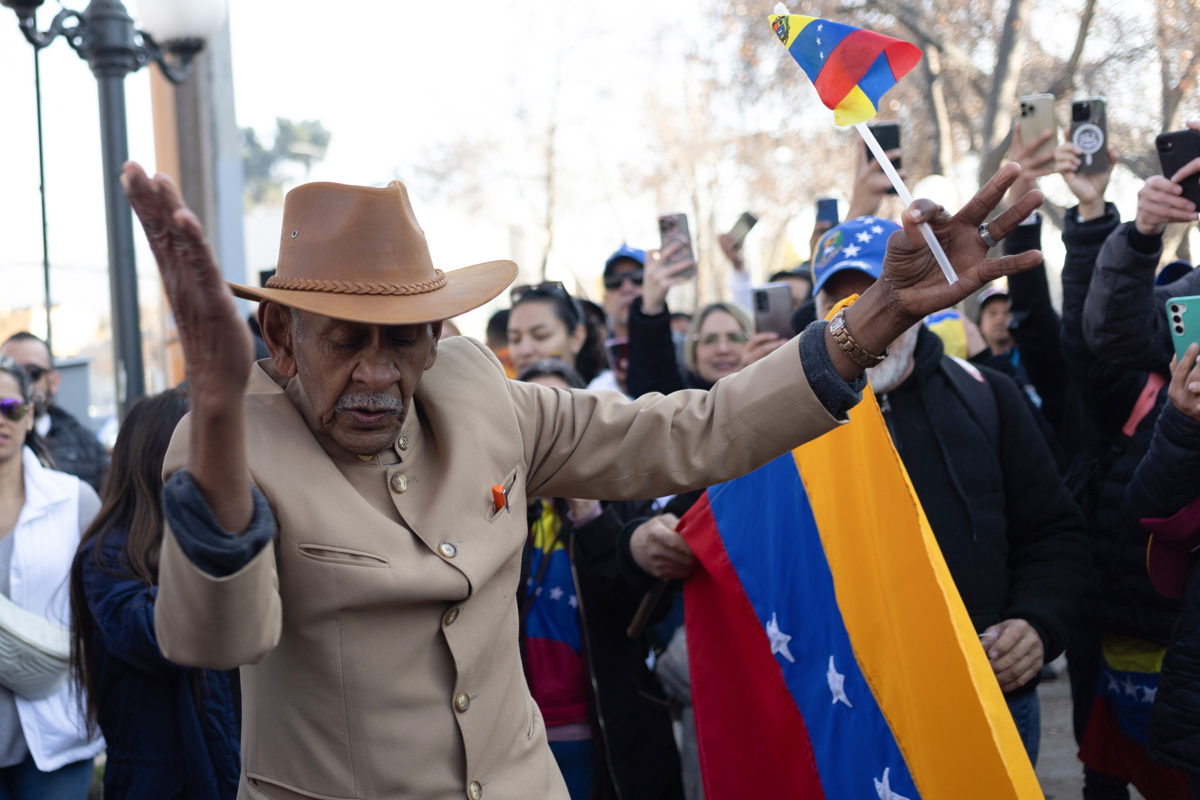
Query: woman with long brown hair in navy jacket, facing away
172, 732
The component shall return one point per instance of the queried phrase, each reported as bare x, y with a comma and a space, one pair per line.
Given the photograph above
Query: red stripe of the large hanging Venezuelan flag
741, 682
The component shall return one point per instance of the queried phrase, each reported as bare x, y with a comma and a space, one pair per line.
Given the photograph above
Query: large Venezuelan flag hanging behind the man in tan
831, 654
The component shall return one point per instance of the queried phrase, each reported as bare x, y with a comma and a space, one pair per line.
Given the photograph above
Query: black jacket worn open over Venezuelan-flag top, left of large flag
635, 748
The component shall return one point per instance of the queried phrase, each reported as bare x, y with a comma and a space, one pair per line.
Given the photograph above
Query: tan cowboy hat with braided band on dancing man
357, 254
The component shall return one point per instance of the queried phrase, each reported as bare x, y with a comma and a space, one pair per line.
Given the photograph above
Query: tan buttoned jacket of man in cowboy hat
379, 637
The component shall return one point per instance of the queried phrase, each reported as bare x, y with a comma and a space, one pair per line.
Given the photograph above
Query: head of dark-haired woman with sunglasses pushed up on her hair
548, 323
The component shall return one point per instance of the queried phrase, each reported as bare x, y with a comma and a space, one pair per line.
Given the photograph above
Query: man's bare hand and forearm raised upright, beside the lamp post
217, 345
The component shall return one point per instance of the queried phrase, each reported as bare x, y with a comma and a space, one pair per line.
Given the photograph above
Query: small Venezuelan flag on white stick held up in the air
850, 68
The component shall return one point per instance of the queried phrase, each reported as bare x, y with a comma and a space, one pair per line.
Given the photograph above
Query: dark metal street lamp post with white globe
105, 37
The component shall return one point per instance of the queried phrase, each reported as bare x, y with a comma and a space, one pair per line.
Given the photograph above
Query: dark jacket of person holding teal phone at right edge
1167, 482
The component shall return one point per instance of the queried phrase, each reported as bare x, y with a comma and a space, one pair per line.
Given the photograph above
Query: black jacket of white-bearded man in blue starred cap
1011, 534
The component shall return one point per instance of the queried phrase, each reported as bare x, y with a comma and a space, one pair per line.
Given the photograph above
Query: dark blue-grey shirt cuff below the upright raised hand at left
201, 537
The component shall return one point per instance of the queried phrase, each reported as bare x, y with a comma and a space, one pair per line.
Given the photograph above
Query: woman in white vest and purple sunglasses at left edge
45, 749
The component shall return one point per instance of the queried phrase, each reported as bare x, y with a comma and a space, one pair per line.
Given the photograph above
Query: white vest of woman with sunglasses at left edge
45, 544
